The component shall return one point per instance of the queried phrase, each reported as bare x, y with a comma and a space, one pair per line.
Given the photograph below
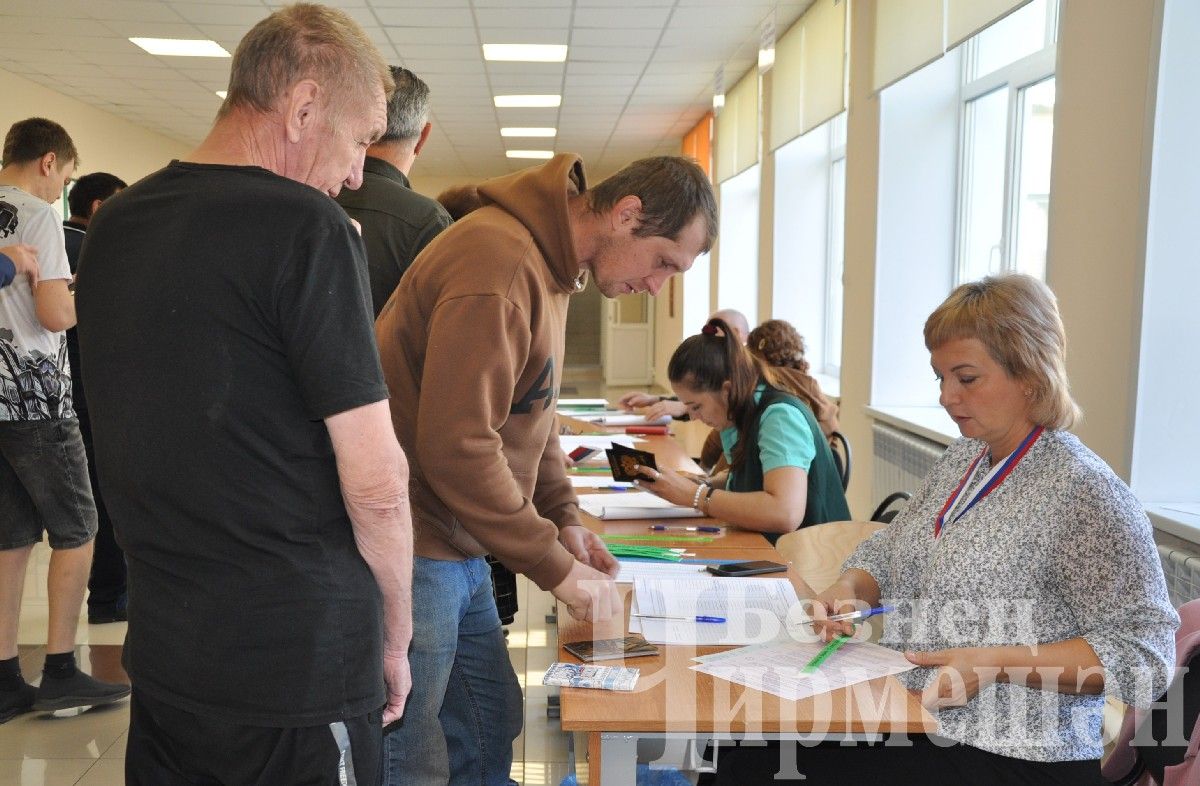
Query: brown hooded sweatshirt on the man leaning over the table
472, 347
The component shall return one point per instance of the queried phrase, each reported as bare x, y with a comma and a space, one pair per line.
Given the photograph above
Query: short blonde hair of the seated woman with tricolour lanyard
1017, 320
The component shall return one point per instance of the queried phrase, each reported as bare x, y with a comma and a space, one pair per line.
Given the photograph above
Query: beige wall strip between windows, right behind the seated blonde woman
1107, 77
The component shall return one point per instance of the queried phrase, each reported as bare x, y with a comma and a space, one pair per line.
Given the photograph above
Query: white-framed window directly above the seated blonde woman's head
1007, 129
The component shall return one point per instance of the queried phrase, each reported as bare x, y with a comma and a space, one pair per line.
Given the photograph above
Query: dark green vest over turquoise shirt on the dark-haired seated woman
826, 500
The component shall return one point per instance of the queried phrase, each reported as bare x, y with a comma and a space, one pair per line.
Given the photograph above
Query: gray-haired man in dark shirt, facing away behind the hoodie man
397, 221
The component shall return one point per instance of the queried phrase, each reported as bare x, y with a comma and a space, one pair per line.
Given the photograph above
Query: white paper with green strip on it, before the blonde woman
778, 668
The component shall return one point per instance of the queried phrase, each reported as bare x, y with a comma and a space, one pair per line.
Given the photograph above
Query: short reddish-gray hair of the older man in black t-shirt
307, 41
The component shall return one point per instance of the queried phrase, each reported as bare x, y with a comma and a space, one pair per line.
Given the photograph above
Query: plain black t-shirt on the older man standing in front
224, 313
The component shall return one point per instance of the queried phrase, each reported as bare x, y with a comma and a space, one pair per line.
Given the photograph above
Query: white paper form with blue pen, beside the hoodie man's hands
755, 610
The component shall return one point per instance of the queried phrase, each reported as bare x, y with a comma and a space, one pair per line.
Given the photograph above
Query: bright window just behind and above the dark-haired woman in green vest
811, 200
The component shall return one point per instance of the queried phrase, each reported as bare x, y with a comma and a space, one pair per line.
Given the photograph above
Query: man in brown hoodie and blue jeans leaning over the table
472, 345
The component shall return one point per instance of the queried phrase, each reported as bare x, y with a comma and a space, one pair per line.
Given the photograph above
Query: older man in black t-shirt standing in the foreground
243, 433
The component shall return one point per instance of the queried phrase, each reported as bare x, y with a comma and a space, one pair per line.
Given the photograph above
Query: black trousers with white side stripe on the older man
171, 747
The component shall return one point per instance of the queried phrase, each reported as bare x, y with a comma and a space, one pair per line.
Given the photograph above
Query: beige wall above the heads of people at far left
106, 143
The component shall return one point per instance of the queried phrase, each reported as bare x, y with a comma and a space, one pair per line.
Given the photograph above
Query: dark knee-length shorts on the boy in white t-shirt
44, 485
